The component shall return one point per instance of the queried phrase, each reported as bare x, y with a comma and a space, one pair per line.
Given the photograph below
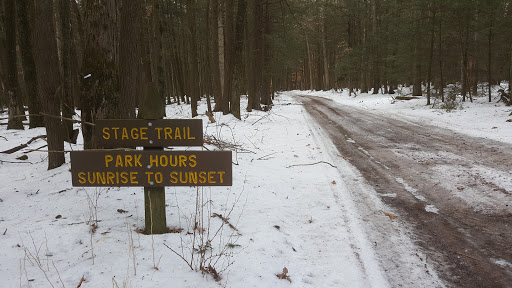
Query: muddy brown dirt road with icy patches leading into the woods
454, 190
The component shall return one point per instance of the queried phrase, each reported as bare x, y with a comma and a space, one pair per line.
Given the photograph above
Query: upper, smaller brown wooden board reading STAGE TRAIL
148, 133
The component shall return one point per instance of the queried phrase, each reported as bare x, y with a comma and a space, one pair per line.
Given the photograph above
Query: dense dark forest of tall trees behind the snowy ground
118, 59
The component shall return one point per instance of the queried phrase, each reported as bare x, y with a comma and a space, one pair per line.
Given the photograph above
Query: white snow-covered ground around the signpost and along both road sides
288, 205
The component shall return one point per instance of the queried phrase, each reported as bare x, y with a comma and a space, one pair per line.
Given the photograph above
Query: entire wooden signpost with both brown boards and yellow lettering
152, 167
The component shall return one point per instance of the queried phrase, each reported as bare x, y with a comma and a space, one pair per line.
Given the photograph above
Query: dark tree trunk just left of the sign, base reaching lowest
48, 79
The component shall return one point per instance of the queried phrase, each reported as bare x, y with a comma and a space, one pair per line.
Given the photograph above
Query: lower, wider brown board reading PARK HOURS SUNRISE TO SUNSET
151, 168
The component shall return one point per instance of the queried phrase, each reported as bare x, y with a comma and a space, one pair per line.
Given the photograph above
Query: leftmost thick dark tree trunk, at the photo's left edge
15, 112
